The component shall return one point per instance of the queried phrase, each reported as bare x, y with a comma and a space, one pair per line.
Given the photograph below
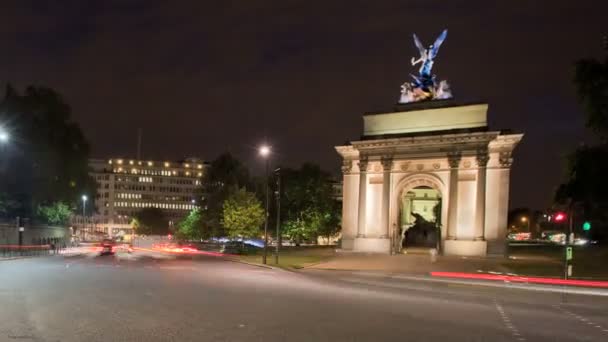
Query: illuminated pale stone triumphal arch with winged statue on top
429, 148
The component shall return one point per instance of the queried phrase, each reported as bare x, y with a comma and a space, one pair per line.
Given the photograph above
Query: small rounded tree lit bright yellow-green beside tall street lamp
242, 214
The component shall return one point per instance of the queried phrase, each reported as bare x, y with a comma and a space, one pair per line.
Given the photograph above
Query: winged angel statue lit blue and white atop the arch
425, 85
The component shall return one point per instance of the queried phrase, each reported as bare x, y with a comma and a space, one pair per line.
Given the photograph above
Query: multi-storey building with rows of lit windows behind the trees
126, 186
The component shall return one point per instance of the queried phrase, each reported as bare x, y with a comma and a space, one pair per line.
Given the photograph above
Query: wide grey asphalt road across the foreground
153, 298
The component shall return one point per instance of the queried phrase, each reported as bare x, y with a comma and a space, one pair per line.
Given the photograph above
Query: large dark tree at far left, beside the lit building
47, 159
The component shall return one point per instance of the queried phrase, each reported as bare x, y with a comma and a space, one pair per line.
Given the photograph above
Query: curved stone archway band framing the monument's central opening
413, 181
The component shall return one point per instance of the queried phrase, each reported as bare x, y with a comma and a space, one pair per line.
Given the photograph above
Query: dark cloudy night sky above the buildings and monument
202, 77
